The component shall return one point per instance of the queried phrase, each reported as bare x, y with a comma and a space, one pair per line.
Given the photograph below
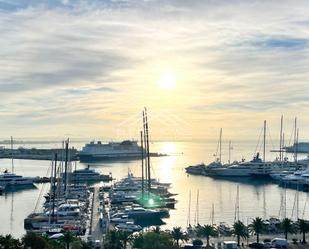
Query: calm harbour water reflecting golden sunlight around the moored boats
257, 198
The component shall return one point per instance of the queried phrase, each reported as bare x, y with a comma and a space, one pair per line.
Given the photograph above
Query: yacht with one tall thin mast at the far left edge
10, 179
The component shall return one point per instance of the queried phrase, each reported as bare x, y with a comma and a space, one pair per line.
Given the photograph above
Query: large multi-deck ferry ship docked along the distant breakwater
109, 151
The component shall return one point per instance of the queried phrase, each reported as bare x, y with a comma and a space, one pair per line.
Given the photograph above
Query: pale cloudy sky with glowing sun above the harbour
86, 69
